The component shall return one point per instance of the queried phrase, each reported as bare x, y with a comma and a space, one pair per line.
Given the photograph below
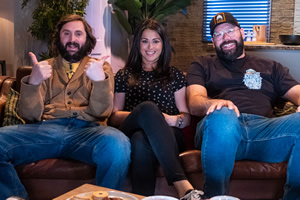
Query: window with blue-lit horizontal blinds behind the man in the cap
248, 13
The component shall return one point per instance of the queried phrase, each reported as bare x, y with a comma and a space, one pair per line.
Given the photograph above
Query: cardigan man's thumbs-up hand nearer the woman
94, 69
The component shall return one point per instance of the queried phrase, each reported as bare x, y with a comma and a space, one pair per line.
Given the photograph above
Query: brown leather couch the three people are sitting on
49, 178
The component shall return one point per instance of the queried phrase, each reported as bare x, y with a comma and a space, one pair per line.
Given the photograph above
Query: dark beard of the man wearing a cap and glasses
231, 55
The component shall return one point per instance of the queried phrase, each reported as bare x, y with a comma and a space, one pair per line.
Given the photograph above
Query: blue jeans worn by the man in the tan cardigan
101, 146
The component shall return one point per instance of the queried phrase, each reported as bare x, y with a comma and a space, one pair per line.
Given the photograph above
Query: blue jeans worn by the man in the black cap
223, 138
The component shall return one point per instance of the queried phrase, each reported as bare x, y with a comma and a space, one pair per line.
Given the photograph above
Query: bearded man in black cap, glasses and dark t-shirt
235, 94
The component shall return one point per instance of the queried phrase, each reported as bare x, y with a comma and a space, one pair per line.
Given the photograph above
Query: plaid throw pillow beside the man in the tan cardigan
11, 116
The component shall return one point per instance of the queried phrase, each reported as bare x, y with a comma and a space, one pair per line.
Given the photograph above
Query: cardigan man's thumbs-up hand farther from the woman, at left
40, 71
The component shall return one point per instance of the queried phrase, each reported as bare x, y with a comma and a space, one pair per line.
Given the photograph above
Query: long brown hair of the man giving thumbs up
90, 38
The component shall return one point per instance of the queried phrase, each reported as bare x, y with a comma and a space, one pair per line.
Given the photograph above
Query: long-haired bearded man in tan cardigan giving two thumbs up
66, 101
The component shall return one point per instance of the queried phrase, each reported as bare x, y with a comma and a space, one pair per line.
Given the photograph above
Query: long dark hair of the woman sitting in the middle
134, 62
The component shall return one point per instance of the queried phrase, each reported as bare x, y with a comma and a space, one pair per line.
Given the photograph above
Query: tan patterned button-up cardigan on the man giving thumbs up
59, 97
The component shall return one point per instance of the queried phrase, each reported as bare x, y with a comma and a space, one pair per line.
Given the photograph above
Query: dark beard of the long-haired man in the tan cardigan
77, 56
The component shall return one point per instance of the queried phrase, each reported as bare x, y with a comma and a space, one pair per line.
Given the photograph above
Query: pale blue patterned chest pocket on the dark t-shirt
252, 79
